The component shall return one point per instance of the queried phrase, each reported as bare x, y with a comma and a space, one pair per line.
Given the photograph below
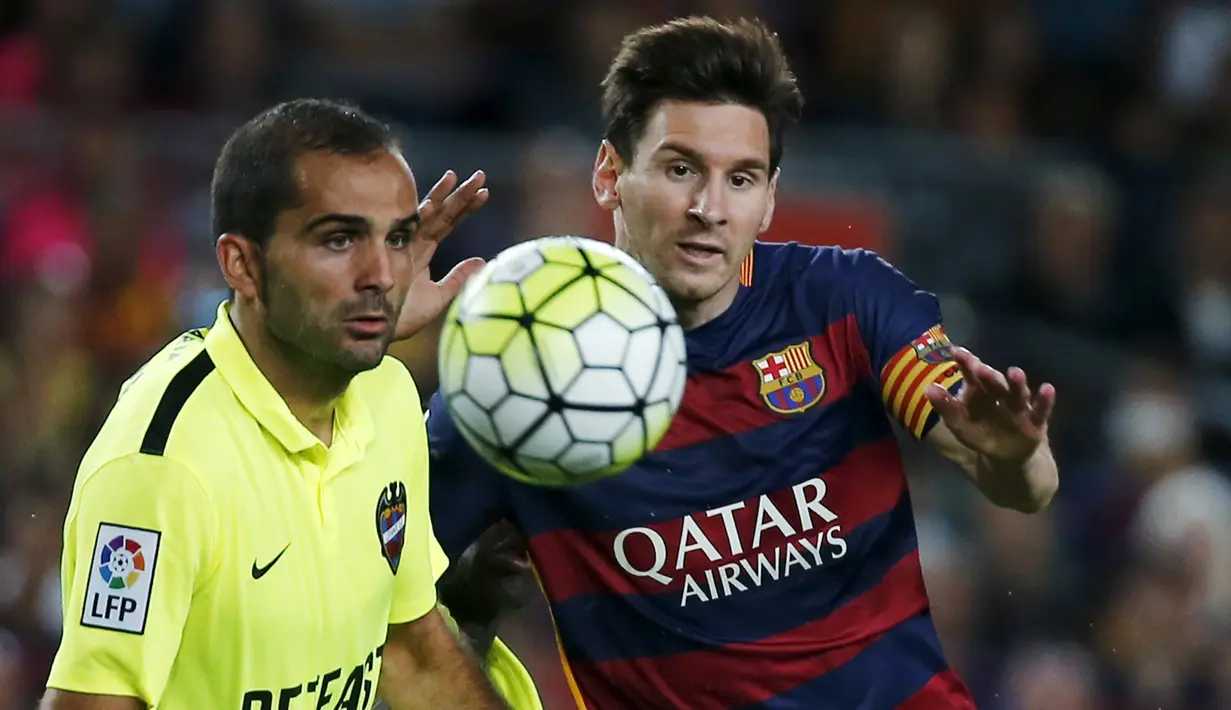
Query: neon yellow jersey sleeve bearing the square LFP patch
140, 538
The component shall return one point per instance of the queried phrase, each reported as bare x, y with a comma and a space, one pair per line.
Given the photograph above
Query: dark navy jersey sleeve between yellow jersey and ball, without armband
468, 495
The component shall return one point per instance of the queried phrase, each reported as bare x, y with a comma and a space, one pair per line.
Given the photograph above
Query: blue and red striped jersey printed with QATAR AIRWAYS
765, 554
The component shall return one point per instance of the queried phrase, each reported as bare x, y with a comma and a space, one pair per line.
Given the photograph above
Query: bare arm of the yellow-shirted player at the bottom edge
425, 668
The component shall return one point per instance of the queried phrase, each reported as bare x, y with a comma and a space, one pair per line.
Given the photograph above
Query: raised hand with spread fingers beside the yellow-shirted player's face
447, 206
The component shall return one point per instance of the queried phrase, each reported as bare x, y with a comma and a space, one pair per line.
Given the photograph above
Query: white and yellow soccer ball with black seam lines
562, 361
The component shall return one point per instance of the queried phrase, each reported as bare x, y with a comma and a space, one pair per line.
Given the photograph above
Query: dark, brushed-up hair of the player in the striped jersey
700, 60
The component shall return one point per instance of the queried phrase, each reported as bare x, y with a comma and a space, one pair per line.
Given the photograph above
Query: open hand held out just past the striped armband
995, 415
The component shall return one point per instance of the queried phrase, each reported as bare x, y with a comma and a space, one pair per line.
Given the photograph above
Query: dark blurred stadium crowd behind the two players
1054, 169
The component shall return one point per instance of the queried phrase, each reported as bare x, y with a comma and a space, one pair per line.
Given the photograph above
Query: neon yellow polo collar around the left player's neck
354, 423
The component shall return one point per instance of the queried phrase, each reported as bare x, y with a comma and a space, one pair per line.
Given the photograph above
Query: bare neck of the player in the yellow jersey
311, 391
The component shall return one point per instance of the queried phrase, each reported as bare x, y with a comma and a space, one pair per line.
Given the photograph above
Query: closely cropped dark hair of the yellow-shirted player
254, 177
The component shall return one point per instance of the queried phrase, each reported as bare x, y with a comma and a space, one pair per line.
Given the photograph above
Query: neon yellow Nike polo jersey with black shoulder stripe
220, 557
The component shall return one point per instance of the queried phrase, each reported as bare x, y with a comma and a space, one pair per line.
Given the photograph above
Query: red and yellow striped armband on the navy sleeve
908, 375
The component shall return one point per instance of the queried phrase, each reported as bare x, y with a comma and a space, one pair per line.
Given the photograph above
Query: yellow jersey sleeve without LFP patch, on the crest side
420, 563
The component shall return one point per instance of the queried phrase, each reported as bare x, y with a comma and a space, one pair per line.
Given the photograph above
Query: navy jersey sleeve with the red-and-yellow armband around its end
903, 332
